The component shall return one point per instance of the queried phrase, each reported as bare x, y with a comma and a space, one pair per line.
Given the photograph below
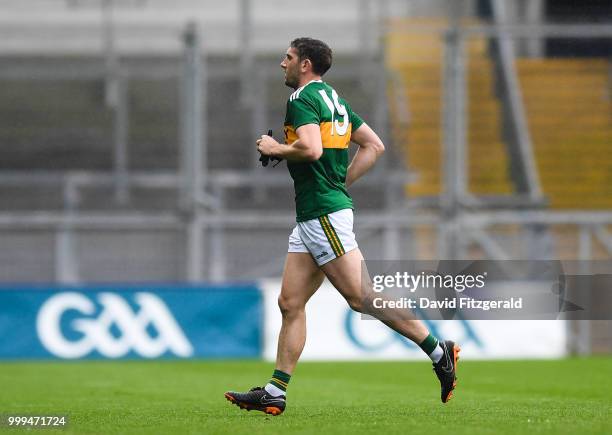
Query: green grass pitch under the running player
565, 396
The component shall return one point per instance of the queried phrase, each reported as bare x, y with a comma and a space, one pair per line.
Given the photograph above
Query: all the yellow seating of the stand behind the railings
569, 111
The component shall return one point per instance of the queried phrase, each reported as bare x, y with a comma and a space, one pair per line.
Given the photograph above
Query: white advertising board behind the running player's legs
335, 332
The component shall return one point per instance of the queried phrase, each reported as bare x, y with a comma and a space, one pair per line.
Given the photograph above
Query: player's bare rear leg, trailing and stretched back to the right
350, 277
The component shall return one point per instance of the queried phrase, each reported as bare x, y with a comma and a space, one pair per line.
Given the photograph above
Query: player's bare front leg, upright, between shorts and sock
301, 279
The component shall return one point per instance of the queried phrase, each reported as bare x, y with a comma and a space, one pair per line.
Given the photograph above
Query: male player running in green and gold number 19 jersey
319, 125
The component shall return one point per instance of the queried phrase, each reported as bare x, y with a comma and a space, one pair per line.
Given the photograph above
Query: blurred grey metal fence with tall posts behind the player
202, 238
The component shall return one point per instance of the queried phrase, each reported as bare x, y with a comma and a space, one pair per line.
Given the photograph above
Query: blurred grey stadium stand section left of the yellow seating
55, 122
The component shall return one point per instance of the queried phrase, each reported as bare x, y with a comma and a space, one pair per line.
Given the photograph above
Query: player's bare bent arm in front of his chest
307, 148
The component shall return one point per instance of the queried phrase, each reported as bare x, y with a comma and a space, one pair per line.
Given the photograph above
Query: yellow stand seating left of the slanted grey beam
417, 59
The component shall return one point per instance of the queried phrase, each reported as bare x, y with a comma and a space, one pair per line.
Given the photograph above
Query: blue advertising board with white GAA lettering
130, 322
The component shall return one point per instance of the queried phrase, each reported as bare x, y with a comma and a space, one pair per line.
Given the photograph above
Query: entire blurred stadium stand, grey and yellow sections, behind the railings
63, 124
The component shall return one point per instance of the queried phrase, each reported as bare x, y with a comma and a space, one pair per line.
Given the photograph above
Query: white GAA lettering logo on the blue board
113, 331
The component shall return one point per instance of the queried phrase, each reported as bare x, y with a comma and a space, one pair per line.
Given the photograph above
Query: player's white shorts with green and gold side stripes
325, 238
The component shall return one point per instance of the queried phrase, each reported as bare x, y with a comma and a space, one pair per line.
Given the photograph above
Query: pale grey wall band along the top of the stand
154, 26
